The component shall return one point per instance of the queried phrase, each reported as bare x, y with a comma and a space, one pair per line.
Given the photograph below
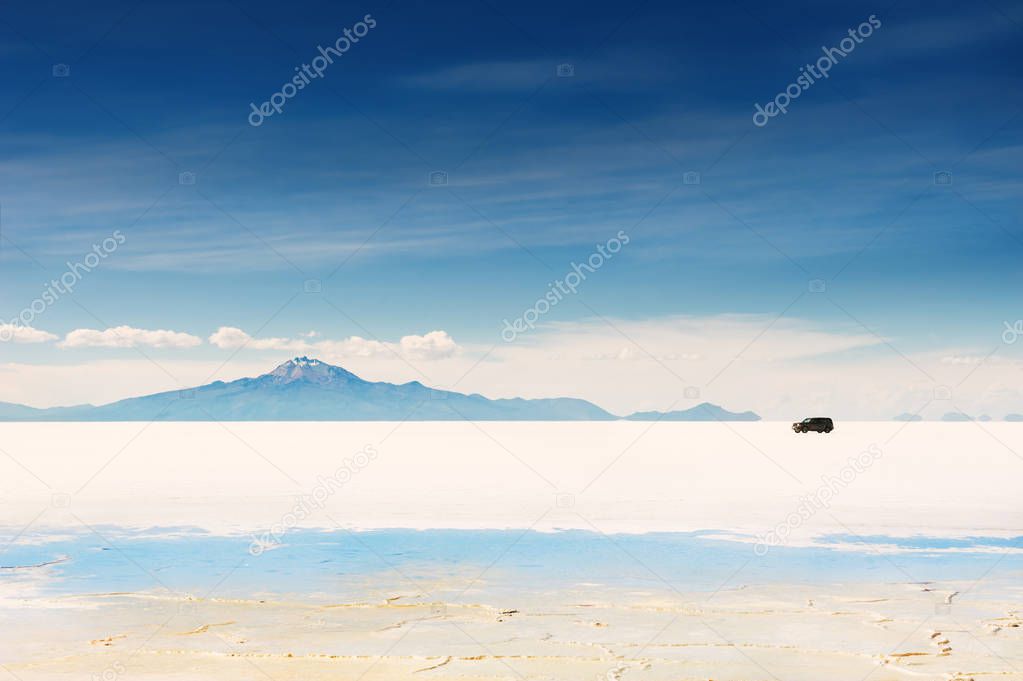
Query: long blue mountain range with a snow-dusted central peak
308, 390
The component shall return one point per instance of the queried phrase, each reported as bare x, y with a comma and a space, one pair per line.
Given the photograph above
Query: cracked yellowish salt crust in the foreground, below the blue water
795, 633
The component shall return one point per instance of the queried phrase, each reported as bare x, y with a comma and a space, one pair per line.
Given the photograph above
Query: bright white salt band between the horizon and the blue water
933, 479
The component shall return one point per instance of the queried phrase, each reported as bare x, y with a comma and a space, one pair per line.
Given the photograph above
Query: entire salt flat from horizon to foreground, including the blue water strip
223, 552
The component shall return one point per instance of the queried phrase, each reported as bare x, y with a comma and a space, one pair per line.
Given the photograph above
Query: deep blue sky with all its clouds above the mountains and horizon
519, 199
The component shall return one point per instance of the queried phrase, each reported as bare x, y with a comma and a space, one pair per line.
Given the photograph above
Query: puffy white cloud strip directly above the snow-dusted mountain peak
432, 346
